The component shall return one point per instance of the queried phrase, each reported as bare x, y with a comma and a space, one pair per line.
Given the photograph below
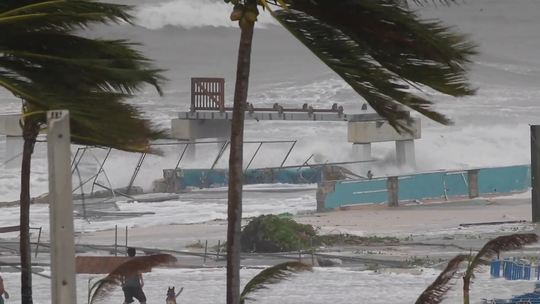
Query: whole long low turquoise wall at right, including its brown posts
423, 187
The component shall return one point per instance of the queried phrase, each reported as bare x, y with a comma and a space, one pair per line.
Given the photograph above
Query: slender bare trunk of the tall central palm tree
236, 166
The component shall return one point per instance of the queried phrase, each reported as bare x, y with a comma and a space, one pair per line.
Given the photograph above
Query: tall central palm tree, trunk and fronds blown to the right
380, 48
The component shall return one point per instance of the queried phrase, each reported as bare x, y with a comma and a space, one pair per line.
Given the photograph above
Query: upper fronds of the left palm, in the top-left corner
44, 53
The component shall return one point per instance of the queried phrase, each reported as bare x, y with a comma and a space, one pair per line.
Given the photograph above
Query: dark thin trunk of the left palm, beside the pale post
29, 136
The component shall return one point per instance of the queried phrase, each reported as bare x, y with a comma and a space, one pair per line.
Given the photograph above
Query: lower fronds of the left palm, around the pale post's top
92, 122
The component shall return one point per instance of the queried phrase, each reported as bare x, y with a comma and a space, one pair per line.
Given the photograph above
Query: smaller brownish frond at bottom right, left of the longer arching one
436, 292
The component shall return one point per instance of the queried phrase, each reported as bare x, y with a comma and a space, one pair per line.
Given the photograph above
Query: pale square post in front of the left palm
63, 285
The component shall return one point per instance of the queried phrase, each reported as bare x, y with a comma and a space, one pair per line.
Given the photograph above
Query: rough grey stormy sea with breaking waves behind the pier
196, 39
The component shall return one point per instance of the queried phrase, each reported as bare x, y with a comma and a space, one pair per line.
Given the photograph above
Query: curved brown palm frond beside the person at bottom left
105, 286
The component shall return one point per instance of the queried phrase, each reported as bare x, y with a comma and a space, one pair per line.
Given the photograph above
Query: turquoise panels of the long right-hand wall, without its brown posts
430, 185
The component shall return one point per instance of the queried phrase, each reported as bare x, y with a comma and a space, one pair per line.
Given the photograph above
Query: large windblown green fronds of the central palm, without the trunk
380, 49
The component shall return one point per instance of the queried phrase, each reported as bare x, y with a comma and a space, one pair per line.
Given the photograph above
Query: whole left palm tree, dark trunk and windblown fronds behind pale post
45, 63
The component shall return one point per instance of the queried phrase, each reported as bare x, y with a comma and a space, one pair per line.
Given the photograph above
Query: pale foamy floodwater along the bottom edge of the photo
321, 286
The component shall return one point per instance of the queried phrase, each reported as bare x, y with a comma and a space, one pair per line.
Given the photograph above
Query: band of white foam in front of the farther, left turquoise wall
172, 212
